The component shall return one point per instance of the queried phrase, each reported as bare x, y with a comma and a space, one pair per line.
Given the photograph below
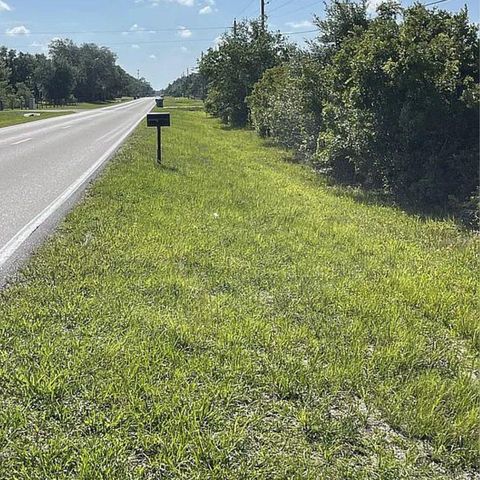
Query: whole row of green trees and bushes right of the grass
387, 101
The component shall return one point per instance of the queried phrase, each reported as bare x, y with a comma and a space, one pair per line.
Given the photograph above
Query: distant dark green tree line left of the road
69, 73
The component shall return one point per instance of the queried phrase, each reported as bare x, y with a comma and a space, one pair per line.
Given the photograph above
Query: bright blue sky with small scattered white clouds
161, 38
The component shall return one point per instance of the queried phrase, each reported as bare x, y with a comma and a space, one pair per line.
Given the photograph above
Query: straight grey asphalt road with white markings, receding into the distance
44, 166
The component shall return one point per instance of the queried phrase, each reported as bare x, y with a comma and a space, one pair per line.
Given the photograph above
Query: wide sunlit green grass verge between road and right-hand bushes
229, 316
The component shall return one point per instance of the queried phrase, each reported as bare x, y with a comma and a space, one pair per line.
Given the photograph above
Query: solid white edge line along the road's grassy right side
21, 236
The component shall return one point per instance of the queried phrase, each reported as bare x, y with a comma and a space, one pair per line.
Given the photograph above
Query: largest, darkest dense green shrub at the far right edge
402, 107
